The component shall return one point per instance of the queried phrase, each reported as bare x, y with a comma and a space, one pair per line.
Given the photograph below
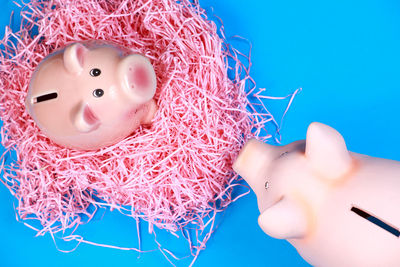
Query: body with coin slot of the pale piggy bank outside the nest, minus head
343, 237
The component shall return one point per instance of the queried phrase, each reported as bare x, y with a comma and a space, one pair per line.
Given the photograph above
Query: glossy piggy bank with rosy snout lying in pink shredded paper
90, 95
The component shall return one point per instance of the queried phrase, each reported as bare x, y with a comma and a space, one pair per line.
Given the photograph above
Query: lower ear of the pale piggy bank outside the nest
284, 220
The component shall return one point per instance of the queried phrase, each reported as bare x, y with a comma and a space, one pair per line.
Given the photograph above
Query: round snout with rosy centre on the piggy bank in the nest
138, 78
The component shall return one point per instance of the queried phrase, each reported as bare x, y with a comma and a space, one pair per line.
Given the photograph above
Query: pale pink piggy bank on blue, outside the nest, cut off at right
337, 208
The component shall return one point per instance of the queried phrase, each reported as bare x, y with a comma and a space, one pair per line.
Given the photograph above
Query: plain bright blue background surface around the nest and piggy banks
344, 54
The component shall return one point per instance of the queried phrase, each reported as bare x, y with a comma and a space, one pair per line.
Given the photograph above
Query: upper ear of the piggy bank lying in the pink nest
74, 57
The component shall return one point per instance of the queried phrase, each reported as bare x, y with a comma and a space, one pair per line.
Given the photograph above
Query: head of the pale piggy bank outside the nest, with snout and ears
298, 176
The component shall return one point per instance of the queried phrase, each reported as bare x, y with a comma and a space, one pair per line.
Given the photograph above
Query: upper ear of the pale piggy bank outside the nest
326, 151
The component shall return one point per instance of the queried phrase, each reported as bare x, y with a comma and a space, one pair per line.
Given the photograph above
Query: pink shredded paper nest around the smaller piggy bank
170, 174
